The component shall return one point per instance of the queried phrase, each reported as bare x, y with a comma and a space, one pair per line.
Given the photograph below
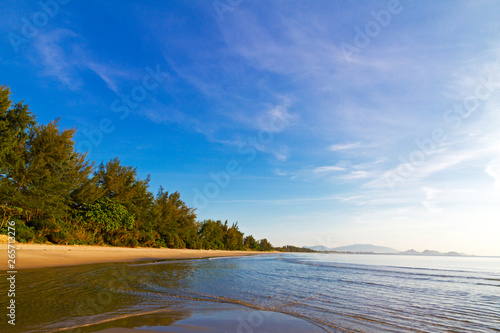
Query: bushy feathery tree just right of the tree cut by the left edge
52, 172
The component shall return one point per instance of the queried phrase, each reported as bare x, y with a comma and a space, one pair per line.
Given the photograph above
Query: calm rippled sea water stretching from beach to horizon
336, 293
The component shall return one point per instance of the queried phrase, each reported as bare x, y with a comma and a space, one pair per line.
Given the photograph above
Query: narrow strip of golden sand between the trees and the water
40, 255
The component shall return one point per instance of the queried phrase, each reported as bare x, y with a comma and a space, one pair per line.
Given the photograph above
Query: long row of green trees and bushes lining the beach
55, 194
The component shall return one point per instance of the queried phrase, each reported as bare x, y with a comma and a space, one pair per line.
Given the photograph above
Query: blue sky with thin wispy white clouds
307, 122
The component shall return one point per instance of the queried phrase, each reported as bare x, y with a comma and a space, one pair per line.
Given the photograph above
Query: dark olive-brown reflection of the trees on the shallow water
55, 298
